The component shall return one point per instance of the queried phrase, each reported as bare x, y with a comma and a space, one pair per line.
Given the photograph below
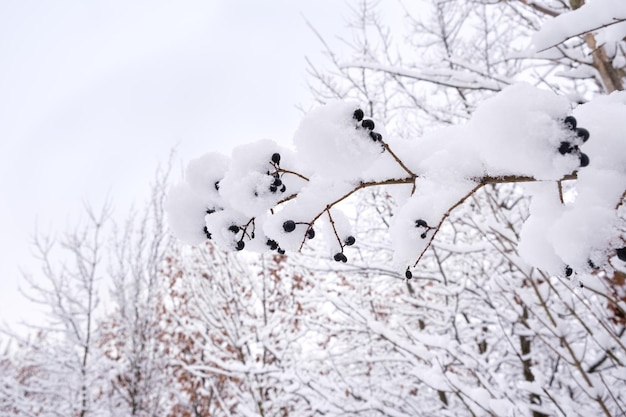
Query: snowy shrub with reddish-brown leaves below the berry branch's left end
241, 325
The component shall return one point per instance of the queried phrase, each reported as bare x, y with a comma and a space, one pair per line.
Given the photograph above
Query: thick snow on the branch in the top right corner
594, 14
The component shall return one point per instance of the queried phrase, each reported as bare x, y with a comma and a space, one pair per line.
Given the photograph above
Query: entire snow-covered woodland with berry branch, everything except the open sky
445, 237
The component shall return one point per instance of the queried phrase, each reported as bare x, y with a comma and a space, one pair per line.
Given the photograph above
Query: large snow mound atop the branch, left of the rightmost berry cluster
517, 132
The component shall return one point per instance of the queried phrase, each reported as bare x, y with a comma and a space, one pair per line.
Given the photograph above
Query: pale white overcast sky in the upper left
94, 94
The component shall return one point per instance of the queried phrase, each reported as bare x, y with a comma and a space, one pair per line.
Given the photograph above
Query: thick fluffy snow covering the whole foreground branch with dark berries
267, 197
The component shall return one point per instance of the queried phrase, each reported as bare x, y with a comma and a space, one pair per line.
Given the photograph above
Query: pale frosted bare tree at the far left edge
57, 372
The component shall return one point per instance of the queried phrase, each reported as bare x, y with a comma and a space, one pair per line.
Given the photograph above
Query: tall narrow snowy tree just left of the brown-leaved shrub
138, 368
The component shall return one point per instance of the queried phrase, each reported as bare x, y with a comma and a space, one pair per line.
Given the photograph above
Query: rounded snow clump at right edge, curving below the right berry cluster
589, 227
